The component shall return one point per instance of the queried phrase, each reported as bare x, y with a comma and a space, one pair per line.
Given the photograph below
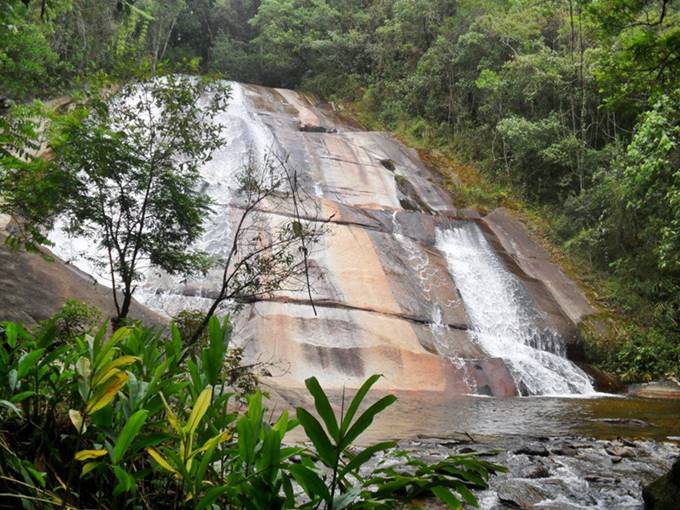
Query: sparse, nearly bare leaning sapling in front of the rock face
268, 253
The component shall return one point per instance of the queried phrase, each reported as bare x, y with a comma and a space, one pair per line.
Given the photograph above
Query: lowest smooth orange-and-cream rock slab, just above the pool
342, 347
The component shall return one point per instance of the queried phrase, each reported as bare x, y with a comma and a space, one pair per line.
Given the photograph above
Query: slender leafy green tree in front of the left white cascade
133, 162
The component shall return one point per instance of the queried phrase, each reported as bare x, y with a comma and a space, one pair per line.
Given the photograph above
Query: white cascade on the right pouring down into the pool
504, 319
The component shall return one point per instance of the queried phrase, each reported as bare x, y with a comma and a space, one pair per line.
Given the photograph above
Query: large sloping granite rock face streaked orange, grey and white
384, 292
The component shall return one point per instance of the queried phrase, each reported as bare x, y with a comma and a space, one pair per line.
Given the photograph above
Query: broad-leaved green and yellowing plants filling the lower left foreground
121, 422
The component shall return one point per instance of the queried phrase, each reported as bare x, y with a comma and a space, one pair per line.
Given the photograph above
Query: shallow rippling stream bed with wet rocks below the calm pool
561, 472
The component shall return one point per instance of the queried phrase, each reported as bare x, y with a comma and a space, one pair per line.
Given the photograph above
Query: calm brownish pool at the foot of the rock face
420, 414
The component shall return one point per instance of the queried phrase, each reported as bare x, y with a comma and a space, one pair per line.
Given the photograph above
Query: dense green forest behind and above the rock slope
568, 107
